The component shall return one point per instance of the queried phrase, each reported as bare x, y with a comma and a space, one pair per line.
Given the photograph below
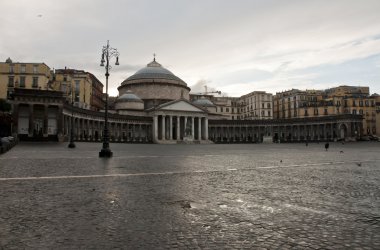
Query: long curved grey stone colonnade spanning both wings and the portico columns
47, 121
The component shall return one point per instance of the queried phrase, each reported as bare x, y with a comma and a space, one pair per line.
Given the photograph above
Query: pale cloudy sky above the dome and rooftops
234, 46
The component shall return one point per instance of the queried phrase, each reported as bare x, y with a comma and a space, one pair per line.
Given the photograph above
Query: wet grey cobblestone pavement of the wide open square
263, 196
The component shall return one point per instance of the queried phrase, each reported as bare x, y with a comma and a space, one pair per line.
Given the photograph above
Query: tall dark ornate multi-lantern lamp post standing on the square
107, 54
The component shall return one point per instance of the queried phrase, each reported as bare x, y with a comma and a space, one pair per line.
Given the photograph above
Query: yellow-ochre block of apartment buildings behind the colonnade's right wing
335, 101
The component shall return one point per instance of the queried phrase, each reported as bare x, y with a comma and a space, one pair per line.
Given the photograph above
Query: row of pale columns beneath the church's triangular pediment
174, 128
